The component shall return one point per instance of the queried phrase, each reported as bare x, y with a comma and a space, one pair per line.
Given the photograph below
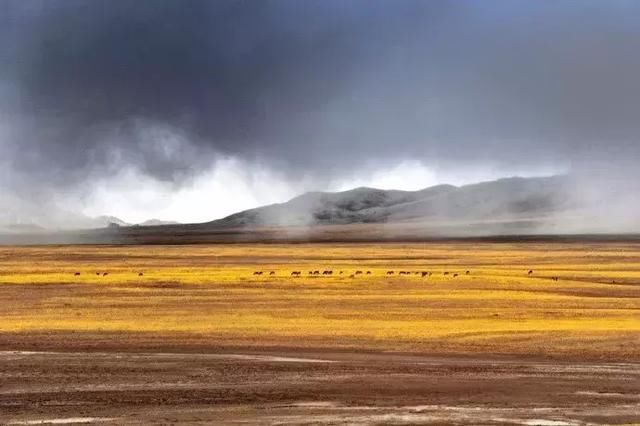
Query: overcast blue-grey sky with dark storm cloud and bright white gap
191, 110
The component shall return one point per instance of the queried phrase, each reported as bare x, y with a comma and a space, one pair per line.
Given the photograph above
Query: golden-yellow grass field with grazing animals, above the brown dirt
209, 296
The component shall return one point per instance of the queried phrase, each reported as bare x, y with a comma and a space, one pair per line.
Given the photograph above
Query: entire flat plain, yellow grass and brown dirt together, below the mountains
199, 339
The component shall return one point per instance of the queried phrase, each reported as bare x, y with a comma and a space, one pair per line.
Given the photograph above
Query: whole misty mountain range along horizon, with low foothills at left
509, 206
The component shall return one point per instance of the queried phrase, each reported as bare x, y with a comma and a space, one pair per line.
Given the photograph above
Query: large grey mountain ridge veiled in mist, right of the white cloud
505, 199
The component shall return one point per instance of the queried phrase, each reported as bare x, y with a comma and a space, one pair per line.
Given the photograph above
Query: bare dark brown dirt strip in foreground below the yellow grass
311, 387
